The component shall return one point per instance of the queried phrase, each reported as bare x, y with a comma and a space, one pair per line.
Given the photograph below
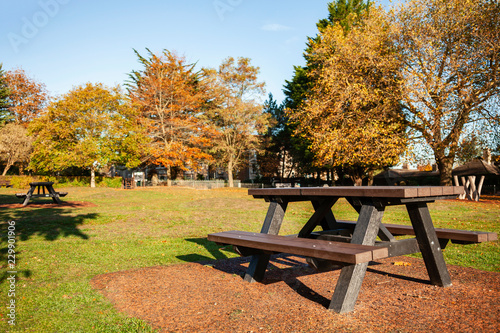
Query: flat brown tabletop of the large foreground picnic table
362, 191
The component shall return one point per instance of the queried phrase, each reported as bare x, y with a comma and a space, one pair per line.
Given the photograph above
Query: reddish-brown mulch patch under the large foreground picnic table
197, 297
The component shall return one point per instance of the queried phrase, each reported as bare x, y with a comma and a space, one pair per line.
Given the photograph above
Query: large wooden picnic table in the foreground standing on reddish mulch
353, 244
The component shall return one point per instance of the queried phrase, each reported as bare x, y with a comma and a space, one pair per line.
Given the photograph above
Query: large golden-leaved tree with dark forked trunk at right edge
450, 53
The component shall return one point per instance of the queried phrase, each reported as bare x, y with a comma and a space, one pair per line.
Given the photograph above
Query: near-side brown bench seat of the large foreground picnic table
247, 243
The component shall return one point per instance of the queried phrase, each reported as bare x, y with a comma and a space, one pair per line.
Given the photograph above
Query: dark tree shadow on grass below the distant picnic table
21, 224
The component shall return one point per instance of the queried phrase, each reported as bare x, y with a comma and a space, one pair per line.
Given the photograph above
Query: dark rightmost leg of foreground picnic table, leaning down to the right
429, 244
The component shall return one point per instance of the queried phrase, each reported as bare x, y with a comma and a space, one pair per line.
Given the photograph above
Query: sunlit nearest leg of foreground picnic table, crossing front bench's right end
351, 277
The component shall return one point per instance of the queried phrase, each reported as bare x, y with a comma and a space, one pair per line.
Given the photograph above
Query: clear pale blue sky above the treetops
65, 43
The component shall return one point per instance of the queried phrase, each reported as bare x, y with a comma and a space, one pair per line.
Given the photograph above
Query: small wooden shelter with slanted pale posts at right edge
469, 173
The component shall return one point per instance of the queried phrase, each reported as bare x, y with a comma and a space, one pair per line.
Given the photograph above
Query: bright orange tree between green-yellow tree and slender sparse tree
170, 96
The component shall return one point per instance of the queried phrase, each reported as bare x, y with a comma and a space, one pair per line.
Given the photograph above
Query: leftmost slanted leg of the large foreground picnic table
258, 264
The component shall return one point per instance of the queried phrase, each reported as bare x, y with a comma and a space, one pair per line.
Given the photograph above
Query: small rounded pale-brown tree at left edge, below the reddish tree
15, 146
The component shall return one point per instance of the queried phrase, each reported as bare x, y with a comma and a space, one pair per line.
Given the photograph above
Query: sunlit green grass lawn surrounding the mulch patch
59, 250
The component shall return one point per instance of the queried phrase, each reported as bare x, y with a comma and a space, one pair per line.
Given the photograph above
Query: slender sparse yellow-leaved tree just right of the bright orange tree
236, 112
